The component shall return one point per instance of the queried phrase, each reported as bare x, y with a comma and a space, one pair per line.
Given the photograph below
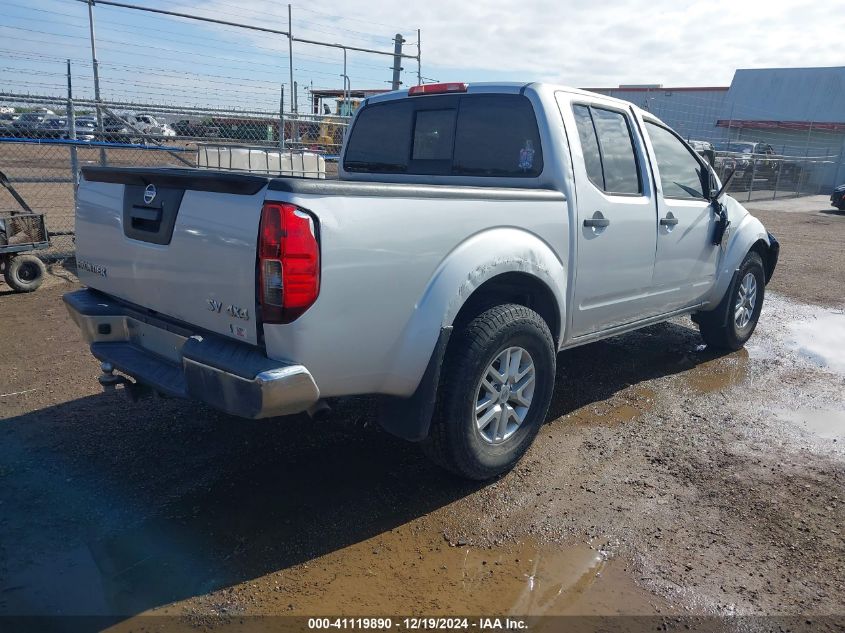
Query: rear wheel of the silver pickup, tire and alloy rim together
494, 393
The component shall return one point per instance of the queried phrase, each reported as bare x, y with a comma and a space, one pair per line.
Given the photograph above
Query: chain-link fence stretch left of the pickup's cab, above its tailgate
41, 158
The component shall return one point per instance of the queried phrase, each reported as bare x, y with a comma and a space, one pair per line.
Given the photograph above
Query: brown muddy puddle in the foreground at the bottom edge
403, 572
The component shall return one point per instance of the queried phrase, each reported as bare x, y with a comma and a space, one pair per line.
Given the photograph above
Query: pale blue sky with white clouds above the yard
165, 60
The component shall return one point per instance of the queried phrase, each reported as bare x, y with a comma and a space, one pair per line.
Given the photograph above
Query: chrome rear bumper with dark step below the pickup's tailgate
167, 357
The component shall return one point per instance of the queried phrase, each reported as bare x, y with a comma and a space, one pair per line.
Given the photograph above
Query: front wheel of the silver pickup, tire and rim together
732, 323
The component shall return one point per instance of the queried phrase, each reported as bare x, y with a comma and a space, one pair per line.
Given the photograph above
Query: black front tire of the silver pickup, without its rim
719, 328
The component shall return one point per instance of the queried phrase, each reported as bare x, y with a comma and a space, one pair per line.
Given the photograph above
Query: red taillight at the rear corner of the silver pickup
288, 262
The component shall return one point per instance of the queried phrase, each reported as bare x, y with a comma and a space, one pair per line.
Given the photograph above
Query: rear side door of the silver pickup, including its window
616, 217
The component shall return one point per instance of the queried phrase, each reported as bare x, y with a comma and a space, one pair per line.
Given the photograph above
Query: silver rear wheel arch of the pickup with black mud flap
501, 265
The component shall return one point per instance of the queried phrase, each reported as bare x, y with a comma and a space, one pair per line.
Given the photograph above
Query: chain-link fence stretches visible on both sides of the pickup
41, 158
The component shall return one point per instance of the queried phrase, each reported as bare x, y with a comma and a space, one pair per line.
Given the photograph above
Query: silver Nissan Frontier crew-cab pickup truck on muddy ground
474, 232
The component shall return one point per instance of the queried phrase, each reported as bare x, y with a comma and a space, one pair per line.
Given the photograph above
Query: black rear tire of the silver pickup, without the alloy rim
455, 441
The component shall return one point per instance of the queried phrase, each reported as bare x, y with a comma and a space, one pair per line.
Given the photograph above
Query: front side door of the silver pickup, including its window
685, 266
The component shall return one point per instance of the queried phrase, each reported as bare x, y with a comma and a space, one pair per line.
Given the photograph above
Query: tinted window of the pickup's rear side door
609, 154
